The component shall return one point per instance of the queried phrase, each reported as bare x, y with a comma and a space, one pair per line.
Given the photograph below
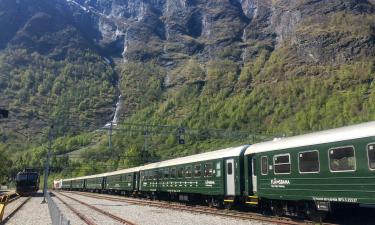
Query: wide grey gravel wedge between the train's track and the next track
147, 215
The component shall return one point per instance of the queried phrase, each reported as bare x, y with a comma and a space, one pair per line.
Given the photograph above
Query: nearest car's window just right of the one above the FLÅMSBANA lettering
309, 162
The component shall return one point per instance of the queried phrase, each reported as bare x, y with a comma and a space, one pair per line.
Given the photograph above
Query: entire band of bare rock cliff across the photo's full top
170, 31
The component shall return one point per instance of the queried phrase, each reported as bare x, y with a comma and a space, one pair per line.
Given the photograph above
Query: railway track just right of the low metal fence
85, 218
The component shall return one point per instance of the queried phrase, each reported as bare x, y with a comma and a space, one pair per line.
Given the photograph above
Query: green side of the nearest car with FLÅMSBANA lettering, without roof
338, 172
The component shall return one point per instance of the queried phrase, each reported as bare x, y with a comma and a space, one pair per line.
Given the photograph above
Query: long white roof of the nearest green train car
328, 136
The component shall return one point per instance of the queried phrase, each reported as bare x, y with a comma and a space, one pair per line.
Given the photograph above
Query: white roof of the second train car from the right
223, 153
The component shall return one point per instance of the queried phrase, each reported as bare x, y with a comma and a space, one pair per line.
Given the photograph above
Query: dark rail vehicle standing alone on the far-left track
27, 182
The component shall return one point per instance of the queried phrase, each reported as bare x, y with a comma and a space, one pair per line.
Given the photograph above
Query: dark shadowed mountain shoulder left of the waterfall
50, 69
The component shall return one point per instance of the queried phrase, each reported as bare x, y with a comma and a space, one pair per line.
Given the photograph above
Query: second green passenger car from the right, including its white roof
216, 175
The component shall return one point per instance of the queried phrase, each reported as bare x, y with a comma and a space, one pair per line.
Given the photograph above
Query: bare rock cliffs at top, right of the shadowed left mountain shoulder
170, 30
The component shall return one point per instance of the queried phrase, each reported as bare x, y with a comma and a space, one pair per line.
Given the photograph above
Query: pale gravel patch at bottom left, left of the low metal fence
32, 213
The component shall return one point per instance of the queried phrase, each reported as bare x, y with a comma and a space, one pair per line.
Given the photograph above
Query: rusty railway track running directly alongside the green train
202, 210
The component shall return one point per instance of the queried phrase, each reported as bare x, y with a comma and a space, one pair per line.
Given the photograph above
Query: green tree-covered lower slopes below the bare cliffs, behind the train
275, 92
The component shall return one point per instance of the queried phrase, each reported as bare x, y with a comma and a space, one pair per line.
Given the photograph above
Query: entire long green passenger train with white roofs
310, 174
